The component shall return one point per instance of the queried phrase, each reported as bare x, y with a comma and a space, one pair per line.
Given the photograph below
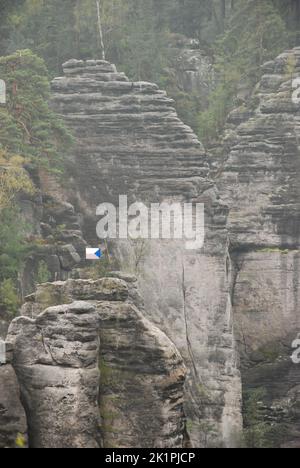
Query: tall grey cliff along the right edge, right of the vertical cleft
260, 183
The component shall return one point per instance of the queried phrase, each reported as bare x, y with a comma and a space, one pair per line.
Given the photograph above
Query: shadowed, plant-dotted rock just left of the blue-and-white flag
55, 234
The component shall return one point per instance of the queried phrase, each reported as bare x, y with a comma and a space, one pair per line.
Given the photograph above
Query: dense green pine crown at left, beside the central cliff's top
28, 126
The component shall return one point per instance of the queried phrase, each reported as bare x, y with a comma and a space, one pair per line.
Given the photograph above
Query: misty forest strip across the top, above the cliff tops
239, 35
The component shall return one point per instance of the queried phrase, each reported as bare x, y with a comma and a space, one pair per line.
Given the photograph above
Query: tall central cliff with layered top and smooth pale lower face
130, 141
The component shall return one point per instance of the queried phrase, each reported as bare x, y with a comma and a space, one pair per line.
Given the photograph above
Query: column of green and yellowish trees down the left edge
30, 135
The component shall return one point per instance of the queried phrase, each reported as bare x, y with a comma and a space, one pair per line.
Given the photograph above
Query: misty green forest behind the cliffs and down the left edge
238, 35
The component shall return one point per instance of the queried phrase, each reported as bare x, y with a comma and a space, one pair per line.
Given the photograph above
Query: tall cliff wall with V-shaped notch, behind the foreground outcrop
130, 141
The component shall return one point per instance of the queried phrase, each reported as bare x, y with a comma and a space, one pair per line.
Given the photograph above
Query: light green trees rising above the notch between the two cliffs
256, 34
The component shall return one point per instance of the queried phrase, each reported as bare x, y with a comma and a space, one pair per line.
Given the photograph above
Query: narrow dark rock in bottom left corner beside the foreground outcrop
13, 426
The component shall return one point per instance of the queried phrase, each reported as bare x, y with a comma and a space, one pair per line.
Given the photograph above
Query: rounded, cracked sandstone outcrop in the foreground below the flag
94, 372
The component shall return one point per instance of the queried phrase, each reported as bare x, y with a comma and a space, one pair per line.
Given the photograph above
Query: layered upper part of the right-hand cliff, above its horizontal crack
260, 180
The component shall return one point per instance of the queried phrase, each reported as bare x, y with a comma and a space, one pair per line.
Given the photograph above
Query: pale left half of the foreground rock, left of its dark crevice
56, 361
